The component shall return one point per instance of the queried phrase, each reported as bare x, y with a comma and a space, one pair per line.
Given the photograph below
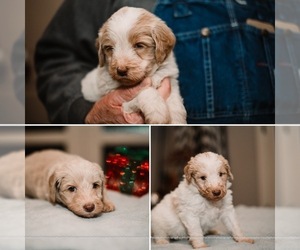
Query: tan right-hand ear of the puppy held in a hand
164, 41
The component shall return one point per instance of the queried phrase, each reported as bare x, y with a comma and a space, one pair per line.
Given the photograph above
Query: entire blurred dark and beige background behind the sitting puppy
249, 150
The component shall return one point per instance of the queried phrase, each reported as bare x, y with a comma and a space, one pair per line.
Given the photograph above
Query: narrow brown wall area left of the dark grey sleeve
38, 15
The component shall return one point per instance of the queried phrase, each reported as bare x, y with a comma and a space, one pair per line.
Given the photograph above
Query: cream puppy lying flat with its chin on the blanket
67, 179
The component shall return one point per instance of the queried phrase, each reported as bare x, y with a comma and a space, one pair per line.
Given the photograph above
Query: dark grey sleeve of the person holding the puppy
65, 53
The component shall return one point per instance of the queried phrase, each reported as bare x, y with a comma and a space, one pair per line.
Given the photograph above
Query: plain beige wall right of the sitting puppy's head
251, 156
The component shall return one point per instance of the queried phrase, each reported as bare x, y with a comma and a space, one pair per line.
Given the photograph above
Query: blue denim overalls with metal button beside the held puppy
226, 66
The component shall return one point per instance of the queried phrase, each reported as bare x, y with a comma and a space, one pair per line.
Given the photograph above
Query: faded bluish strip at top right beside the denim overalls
287, 62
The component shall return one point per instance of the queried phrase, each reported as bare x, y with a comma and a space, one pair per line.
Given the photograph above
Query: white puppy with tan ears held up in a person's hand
132, 45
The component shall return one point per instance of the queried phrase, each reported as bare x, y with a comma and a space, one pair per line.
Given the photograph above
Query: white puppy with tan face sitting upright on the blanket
197, 204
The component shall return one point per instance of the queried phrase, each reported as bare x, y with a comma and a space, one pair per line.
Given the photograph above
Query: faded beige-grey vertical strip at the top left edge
12, 62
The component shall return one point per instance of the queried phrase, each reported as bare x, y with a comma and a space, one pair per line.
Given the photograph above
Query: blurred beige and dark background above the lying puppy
90, 142
